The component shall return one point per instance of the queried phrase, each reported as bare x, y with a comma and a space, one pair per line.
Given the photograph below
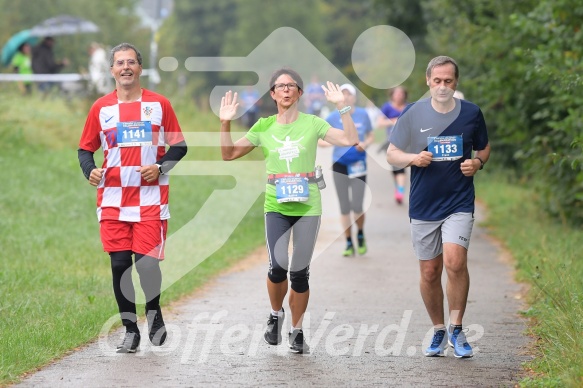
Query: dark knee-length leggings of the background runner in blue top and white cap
350, 190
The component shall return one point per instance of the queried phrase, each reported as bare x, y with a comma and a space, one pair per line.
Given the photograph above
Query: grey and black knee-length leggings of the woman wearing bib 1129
278, 228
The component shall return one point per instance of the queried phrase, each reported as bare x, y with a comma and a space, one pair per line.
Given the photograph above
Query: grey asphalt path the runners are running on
366, 322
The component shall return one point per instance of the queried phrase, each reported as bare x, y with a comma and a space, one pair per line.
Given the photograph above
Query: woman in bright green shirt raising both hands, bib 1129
289, 141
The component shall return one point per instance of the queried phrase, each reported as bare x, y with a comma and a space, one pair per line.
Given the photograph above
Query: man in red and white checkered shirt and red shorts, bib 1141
133, 126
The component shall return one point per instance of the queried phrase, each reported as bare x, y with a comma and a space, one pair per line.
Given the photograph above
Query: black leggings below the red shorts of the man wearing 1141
123, 287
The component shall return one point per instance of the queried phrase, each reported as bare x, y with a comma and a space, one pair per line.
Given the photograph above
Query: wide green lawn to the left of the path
55, 280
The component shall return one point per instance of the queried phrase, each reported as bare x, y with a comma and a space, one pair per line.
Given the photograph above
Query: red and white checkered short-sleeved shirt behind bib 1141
122, 194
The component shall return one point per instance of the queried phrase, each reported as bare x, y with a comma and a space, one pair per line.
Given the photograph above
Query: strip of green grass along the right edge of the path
548, 257
